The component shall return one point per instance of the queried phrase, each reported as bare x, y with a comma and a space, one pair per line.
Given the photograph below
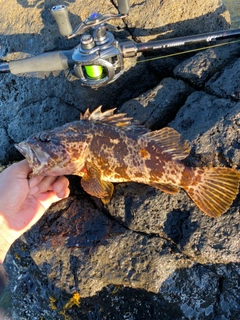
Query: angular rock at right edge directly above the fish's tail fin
215, 132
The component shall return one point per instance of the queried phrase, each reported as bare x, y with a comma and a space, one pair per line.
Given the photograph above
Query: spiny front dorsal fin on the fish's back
116, 119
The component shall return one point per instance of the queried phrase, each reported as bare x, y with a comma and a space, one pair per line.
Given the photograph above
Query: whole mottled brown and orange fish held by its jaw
105, 147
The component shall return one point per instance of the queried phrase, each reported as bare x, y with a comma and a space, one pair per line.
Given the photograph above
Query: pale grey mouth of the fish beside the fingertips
35, 156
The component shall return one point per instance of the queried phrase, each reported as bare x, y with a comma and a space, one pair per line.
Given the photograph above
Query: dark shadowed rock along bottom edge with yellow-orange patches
199, 292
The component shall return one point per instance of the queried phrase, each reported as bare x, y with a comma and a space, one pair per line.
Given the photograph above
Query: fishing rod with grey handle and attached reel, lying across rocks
98, 59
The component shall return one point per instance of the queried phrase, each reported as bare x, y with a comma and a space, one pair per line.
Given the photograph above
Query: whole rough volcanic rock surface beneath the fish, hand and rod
146, 254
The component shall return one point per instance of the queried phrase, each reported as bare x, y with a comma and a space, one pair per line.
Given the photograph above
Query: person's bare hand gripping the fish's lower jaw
23, 201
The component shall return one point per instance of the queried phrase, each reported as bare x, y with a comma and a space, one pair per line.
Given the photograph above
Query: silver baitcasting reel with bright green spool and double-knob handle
98, 59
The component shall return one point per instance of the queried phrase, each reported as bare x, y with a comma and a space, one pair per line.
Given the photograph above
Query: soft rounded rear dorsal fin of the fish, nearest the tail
171, 142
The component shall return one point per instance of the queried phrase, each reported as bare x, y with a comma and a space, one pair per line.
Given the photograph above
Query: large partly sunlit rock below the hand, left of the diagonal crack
100, 252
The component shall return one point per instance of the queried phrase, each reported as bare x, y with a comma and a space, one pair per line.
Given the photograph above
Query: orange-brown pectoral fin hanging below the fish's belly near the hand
95, 186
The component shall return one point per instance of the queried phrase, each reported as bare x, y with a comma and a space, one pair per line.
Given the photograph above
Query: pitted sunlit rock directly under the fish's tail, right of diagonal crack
175, 217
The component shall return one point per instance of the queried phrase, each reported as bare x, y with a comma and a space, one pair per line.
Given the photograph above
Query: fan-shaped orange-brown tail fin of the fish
213, 189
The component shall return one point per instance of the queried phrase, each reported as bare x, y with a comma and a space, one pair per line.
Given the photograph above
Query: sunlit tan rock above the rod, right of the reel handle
169, 19
